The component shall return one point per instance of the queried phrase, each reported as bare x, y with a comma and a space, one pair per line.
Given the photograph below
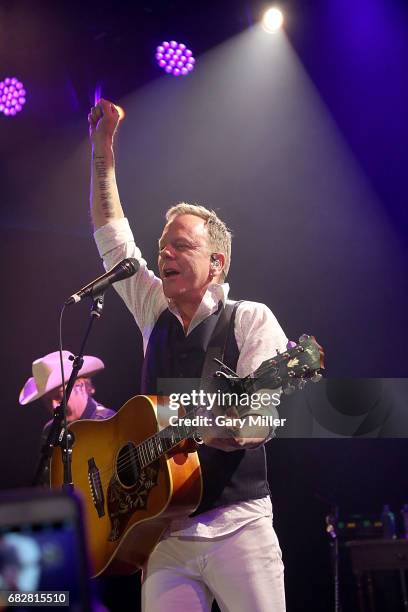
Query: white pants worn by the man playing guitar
243, 571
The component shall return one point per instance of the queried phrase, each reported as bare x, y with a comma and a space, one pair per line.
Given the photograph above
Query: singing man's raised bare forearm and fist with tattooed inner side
105, 203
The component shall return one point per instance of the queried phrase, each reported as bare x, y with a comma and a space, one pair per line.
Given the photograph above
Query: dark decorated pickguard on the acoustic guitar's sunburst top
123, 502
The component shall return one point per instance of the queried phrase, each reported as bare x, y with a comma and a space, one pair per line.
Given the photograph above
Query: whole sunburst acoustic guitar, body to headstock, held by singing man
134, 478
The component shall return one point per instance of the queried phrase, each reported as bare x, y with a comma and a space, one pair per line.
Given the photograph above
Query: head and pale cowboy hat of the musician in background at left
46, 384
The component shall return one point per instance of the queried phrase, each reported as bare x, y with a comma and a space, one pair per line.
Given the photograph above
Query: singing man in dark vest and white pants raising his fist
227, 549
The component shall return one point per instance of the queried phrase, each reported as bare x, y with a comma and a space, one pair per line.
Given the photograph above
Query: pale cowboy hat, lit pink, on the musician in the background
47, 374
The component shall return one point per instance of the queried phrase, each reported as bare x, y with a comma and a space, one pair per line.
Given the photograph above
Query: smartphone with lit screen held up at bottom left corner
42, 546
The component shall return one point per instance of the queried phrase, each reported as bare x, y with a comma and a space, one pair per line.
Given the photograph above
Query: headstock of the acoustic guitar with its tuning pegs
291, 370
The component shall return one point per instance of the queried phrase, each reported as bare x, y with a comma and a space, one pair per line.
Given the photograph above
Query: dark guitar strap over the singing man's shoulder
220, 342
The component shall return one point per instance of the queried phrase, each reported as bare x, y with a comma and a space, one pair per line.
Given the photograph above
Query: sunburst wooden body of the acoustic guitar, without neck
126, 509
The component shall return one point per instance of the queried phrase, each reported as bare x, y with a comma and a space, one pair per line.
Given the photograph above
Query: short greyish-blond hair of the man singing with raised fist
218, 233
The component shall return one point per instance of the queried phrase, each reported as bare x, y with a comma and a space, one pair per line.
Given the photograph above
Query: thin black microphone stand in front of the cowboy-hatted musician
58, 434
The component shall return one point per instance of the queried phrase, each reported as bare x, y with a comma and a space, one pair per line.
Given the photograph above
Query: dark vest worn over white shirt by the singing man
228, 477
